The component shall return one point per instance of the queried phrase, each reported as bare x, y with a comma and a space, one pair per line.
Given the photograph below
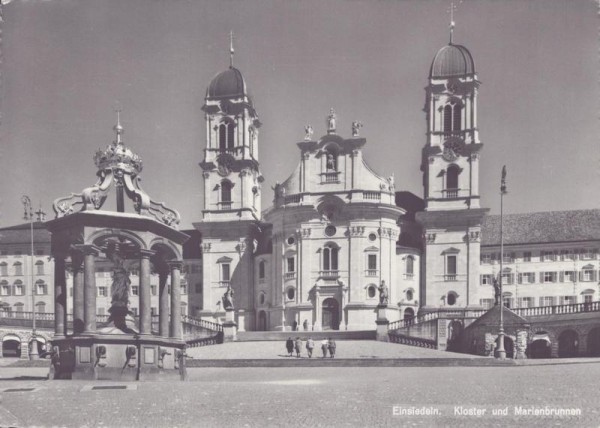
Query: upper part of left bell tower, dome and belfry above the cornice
230, 167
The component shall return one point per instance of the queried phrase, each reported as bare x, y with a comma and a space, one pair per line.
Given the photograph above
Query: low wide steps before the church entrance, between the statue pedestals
257, 336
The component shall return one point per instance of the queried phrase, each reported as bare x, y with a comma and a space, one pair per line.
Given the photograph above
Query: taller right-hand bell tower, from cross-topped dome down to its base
450, 165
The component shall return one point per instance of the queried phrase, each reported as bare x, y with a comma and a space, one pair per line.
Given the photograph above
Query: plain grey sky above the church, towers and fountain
66, 65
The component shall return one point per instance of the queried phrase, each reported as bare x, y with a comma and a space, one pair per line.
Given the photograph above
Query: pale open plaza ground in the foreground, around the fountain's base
315, 397
